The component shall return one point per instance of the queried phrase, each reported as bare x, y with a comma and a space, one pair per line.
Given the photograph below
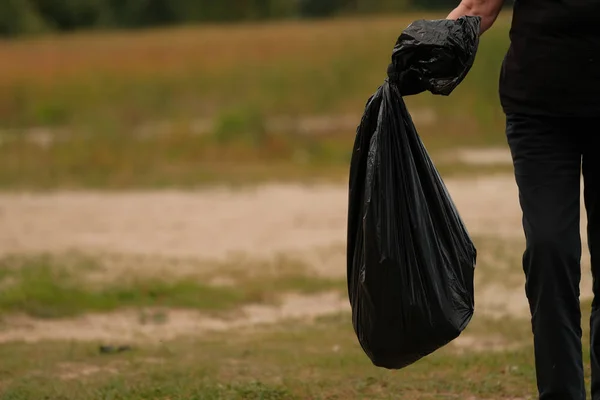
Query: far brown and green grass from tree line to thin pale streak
280, 68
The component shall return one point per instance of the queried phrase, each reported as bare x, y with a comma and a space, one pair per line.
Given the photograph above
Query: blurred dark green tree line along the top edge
37, 16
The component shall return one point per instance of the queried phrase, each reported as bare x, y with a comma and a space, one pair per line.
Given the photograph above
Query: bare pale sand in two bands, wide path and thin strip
308, 222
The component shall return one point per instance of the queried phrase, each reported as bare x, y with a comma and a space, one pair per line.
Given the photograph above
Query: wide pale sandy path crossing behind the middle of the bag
217, 223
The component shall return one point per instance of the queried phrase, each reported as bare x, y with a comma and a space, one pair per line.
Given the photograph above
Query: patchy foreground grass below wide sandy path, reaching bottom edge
287, 358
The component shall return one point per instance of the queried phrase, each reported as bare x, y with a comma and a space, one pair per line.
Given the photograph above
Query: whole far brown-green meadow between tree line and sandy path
187, 106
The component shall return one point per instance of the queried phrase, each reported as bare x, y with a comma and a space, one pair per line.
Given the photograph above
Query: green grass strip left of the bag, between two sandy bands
51, 287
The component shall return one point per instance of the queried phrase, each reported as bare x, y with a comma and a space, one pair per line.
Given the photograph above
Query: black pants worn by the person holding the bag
549, 154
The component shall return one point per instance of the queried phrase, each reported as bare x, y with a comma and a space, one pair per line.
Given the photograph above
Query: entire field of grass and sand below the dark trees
173, 213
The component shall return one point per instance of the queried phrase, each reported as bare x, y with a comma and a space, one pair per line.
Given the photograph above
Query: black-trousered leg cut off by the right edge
591, 174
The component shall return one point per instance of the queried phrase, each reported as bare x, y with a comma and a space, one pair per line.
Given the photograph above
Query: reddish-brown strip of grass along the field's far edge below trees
169, 51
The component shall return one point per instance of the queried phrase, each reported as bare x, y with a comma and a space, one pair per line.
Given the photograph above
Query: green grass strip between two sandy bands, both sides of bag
53, 286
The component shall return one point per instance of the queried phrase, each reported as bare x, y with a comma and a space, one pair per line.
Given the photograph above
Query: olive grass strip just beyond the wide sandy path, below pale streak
183, 161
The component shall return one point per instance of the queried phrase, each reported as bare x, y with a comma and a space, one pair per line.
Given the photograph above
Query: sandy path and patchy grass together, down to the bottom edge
84, 316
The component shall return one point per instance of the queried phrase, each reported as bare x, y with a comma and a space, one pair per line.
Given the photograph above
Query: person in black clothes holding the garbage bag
549, 90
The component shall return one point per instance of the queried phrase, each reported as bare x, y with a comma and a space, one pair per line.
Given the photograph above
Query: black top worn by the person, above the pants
553, 64
